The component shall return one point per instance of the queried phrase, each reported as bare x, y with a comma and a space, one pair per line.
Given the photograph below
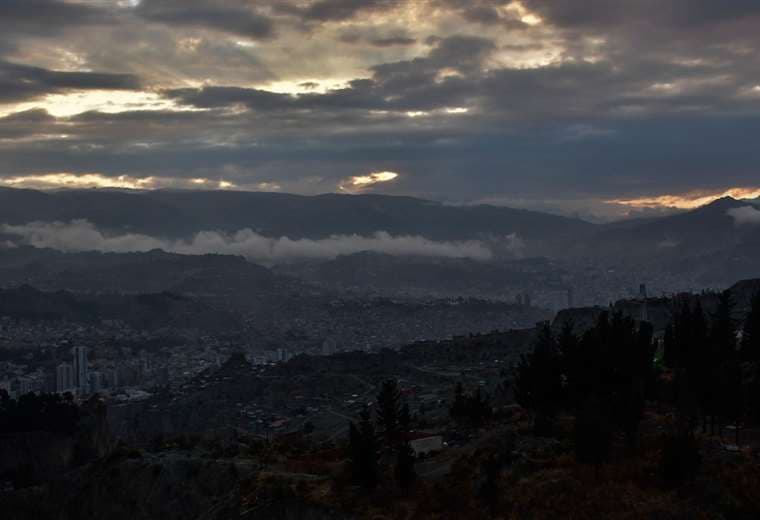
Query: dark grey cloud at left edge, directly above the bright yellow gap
20, 82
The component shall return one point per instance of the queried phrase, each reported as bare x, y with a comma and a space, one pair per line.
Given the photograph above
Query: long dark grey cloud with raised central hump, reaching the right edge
534, 95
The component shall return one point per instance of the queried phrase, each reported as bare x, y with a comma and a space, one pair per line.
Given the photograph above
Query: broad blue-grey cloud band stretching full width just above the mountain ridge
631, 158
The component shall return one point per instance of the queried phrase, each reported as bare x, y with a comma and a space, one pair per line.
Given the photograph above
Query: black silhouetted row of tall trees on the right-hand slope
707, 366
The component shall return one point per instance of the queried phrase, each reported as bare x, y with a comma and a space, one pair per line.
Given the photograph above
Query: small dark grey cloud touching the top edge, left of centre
229, 16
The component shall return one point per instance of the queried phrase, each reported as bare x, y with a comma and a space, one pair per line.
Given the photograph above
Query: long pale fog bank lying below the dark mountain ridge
81, 235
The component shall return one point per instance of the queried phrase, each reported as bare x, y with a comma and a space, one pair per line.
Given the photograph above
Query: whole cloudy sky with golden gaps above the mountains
596, 108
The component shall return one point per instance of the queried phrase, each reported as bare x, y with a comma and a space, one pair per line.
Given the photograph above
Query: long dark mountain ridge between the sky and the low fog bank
181, 213
